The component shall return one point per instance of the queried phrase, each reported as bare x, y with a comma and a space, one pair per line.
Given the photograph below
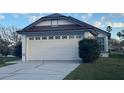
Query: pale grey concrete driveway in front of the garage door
46, 70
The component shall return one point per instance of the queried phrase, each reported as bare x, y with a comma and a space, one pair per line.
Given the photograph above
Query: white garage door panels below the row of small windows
52, 50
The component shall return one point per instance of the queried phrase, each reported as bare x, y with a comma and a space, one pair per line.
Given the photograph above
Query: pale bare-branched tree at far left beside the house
10, 38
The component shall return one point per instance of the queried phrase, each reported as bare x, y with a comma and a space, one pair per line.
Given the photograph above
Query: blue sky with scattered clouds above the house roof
101, 20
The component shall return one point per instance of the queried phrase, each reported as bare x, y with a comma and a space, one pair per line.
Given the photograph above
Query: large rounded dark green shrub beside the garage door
89, 50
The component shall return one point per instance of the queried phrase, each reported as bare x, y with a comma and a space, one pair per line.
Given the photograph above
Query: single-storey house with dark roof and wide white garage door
56, 37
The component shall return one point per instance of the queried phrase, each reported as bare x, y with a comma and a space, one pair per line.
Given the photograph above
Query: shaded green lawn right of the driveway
111, 68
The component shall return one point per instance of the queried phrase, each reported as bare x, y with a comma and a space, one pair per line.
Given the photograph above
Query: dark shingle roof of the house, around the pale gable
79, 25
